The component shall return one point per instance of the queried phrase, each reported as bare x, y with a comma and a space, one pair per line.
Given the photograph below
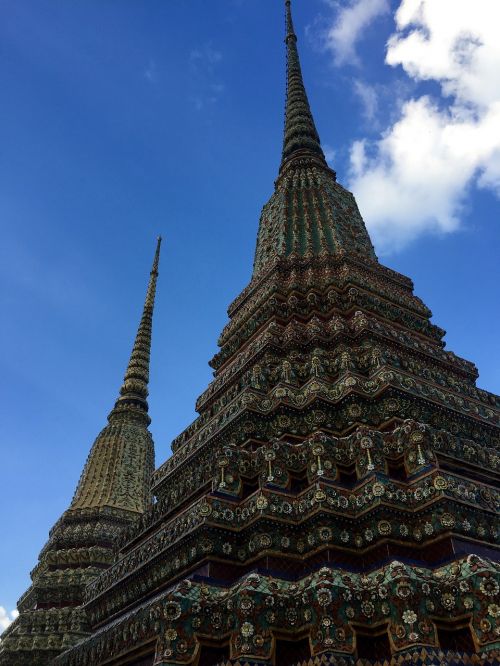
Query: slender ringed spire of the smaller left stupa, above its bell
134, 391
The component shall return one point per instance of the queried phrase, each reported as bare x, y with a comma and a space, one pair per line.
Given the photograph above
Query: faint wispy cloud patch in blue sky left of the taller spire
206, 84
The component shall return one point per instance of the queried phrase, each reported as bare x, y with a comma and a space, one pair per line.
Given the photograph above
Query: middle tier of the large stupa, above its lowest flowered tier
350, 499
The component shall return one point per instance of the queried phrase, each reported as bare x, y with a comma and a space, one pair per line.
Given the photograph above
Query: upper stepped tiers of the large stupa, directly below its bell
319, 358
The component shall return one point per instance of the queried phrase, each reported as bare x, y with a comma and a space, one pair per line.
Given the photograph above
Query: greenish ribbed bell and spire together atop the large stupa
309, 214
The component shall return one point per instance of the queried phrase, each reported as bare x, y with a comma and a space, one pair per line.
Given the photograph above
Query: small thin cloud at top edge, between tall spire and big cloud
352, 19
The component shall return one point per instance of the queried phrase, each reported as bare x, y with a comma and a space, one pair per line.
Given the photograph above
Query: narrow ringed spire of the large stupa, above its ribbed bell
301, 136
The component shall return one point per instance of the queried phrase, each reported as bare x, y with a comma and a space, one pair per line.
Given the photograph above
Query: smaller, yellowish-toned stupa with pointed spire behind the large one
113, 491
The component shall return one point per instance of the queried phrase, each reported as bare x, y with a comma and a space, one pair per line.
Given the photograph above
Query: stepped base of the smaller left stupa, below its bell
51, 618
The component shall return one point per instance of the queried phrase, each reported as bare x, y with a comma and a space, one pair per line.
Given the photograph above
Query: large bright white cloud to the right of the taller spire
417, 176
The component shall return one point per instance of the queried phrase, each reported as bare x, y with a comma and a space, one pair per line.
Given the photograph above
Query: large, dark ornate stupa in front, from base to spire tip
334, 502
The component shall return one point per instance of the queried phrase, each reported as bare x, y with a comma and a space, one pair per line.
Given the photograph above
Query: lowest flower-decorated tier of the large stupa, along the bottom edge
402, 605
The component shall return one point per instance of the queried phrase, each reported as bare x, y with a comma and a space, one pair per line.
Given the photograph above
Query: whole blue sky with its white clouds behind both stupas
122, 119
